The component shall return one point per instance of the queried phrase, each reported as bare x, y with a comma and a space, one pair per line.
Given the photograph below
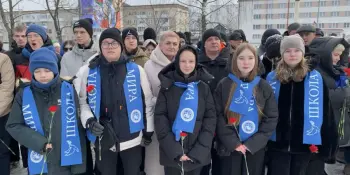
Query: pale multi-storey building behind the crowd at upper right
258, 15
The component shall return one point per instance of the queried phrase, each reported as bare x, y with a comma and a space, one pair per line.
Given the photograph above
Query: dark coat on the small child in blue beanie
34, 140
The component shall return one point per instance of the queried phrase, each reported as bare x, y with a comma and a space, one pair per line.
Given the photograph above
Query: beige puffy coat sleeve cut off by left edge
7, 84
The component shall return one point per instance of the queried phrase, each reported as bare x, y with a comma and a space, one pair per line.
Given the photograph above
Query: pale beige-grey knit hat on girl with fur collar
293, 41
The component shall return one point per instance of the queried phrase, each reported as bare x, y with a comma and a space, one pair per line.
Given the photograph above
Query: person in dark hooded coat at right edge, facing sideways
330, 51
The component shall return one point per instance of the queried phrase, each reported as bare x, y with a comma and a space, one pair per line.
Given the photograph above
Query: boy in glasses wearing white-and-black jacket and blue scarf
116, 103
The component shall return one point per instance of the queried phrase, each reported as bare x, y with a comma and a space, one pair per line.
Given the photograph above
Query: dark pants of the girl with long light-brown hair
235, 164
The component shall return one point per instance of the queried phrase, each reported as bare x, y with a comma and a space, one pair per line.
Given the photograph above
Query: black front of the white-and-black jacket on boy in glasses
113, 103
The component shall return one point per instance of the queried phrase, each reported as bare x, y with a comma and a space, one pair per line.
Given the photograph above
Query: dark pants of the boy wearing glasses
130, 158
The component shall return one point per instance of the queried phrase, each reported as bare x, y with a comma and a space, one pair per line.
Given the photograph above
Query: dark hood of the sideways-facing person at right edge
322, 48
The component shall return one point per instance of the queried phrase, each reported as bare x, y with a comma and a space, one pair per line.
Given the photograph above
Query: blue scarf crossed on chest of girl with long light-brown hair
244, 103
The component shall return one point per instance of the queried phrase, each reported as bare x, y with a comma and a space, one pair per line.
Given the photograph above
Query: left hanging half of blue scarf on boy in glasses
94, 97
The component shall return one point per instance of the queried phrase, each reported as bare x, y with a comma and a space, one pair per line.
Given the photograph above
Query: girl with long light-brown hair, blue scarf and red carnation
247, 115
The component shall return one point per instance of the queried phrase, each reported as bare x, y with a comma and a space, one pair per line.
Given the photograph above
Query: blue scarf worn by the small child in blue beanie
70, 140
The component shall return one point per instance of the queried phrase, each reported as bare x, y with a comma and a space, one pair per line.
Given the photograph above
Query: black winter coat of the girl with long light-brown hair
228, 139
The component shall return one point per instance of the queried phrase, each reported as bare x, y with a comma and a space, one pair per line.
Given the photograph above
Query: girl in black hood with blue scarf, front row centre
185, 116
